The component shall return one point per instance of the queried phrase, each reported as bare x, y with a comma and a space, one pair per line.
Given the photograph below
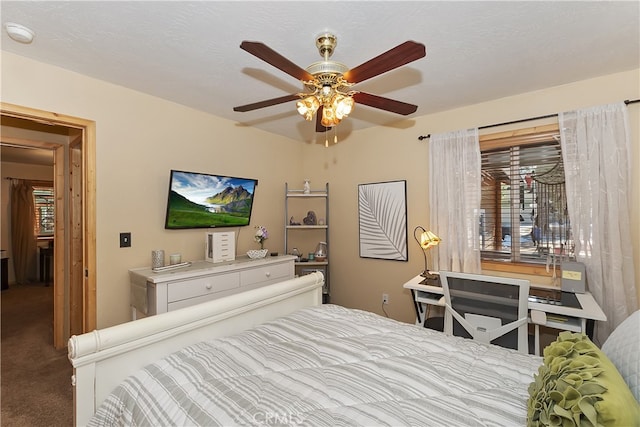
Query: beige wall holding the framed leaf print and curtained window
386, 153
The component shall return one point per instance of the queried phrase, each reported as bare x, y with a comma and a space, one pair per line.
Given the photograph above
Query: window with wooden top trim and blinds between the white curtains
524, 216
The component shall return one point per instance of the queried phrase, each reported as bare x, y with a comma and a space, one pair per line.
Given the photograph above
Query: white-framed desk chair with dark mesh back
487, 308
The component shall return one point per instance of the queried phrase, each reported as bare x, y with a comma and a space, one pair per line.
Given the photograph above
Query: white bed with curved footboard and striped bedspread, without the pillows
280, 357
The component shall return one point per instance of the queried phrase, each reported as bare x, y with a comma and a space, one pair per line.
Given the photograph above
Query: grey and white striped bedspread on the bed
328, 366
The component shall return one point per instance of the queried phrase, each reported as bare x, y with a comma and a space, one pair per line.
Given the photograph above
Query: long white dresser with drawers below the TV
158, 292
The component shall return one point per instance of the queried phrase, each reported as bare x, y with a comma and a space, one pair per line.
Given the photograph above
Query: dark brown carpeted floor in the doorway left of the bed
35, 377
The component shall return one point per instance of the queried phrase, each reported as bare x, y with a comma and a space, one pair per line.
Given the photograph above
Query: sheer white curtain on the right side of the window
596, 151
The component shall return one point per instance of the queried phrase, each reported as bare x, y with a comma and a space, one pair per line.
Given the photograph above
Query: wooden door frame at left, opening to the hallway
74, 269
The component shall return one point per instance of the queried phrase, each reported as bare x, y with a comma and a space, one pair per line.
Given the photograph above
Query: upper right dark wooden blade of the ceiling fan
400, 55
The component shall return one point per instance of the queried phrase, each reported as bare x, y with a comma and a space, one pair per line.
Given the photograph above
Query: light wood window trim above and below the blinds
504, 140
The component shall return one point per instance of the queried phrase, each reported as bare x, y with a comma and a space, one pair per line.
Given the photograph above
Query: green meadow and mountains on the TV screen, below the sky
229, 207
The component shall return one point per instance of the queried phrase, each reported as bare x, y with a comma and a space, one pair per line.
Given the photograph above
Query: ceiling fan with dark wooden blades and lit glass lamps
328, 83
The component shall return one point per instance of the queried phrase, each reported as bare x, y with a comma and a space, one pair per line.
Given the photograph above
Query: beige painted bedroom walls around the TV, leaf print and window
140, 138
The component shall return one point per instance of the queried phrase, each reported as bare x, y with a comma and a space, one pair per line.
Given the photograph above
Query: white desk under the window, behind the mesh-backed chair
558, 317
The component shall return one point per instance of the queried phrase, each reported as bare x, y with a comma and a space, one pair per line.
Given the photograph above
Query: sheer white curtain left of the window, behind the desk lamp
454, 200
